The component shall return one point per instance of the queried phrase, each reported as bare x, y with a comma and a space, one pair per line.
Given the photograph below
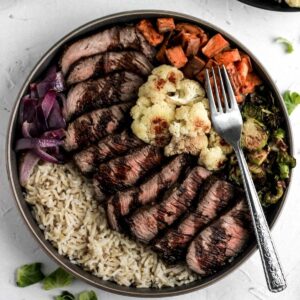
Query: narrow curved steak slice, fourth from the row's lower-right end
122, 203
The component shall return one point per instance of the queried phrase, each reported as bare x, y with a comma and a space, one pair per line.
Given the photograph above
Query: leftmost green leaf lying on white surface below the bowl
29, 274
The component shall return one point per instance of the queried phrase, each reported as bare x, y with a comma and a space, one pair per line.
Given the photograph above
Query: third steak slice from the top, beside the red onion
106, 91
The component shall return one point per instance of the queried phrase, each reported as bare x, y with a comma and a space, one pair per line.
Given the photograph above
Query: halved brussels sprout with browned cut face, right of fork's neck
254, 135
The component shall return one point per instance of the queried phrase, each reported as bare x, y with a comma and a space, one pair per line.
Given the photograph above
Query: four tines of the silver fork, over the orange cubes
218, 91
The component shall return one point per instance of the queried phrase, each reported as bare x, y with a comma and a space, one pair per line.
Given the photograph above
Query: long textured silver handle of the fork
273, 271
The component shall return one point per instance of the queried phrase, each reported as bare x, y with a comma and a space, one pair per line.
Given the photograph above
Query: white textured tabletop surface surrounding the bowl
28, 28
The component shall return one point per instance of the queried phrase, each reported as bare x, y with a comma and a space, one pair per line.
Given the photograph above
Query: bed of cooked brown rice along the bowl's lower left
63, 205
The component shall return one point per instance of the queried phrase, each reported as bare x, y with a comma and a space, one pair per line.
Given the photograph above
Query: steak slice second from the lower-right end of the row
215, 197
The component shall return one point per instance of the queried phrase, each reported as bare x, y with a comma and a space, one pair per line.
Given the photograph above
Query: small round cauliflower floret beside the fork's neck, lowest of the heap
212, 158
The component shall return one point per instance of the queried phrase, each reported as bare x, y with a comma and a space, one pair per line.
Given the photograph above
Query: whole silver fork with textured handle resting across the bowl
227, 121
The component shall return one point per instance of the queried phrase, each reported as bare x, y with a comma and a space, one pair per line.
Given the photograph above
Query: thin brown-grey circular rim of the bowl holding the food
12, 171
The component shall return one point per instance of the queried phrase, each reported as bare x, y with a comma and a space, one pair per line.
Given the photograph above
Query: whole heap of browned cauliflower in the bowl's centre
172, 112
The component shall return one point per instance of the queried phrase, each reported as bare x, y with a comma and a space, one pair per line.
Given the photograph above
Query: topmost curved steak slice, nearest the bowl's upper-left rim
114, 38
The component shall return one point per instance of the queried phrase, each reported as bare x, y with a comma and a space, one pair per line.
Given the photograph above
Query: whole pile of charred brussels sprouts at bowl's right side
265, 142
